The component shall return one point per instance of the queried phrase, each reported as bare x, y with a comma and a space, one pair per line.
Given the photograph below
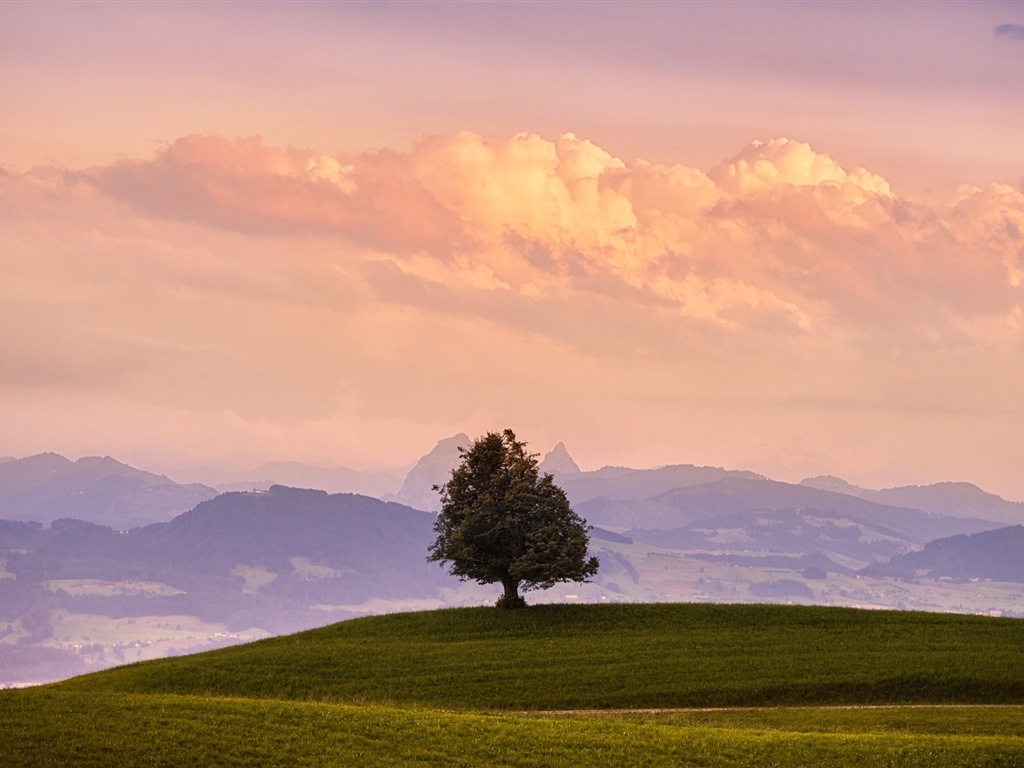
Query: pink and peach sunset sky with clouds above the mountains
780, 237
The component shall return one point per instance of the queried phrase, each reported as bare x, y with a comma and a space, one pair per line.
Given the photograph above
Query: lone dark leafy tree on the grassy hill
502, 522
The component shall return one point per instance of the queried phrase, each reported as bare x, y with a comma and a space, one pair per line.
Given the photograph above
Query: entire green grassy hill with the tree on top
558, 686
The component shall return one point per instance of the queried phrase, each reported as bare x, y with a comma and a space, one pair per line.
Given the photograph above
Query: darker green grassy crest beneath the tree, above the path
622, 657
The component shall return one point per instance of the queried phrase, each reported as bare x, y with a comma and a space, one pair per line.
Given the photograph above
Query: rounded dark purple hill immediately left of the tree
354, 546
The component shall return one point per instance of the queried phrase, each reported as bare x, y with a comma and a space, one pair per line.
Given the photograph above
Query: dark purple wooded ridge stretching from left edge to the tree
342, 548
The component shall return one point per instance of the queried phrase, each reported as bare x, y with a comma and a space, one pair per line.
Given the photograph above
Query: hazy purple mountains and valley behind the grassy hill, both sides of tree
95, 544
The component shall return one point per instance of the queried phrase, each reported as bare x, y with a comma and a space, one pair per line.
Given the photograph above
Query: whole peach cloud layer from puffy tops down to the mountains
292, 300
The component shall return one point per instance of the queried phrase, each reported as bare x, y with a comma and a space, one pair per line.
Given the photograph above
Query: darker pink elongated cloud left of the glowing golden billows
248, 187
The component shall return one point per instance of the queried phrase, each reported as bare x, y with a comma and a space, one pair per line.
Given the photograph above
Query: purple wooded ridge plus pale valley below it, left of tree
238, 567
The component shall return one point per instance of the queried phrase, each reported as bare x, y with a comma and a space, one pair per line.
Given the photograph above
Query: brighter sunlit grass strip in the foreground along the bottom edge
55, 728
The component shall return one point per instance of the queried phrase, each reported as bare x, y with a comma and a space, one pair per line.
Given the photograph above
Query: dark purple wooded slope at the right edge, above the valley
991, 554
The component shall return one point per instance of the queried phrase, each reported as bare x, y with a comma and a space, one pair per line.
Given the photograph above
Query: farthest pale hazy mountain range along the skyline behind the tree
106, 492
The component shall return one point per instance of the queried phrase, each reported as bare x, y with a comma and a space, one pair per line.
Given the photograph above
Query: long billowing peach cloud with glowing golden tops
780, 236
